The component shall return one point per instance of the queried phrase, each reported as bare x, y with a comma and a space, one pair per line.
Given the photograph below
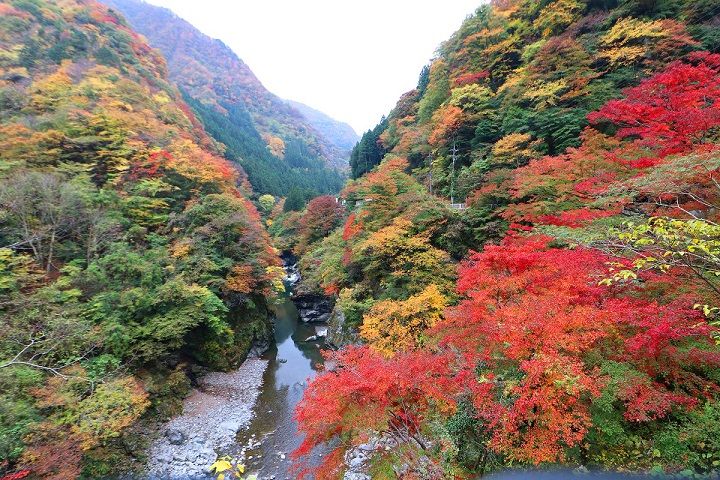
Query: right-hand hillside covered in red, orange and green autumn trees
569, 314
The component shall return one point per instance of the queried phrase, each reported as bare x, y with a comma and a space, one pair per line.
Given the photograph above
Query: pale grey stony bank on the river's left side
212, 415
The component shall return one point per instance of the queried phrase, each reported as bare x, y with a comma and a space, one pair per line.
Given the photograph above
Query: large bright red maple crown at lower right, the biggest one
540, 313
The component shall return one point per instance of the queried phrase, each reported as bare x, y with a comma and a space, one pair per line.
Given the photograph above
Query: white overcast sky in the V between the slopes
350, 59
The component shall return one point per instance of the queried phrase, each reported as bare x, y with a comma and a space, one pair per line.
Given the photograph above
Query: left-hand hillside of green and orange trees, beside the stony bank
128, 245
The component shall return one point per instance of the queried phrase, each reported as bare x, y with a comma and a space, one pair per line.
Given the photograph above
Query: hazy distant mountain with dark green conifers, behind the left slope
278, 148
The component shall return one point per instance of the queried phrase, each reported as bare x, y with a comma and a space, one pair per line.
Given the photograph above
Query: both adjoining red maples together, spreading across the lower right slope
535, 344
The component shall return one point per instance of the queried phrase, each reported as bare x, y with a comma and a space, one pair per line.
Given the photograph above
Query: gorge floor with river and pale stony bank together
247, 414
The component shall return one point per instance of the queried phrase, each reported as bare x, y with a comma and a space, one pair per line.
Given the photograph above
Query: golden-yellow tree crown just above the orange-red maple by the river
393, 326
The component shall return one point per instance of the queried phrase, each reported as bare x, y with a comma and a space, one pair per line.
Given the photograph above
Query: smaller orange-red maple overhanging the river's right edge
370, 391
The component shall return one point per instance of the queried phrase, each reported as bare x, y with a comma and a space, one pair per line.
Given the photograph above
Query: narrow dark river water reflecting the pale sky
273, 433
